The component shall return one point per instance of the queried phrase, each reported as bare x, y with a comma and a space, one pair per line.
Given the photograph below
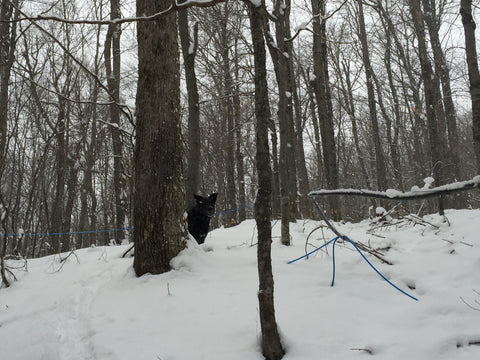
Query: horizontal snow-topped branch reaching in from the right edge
414, 194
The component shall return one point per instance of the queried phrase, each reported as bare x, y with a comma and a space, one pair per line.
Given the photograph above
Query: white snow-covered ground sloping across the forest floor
95, 307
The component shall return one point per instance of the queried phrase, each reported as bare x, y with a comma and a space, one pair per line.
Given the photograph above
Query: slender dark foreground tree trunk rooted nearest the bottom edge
271, 345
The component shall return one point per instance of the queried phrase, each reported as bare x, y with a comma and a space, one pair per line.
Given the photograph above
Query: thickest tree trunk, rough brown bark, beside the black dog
159, 200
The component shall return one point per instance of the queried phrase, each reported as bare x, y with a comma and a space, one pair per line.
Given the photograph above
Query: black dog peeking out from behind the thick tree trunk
199, 216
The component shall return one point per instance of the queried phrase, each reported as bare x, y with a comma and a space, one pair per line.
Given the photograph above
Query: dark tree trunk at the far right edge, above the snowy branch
473, 72
